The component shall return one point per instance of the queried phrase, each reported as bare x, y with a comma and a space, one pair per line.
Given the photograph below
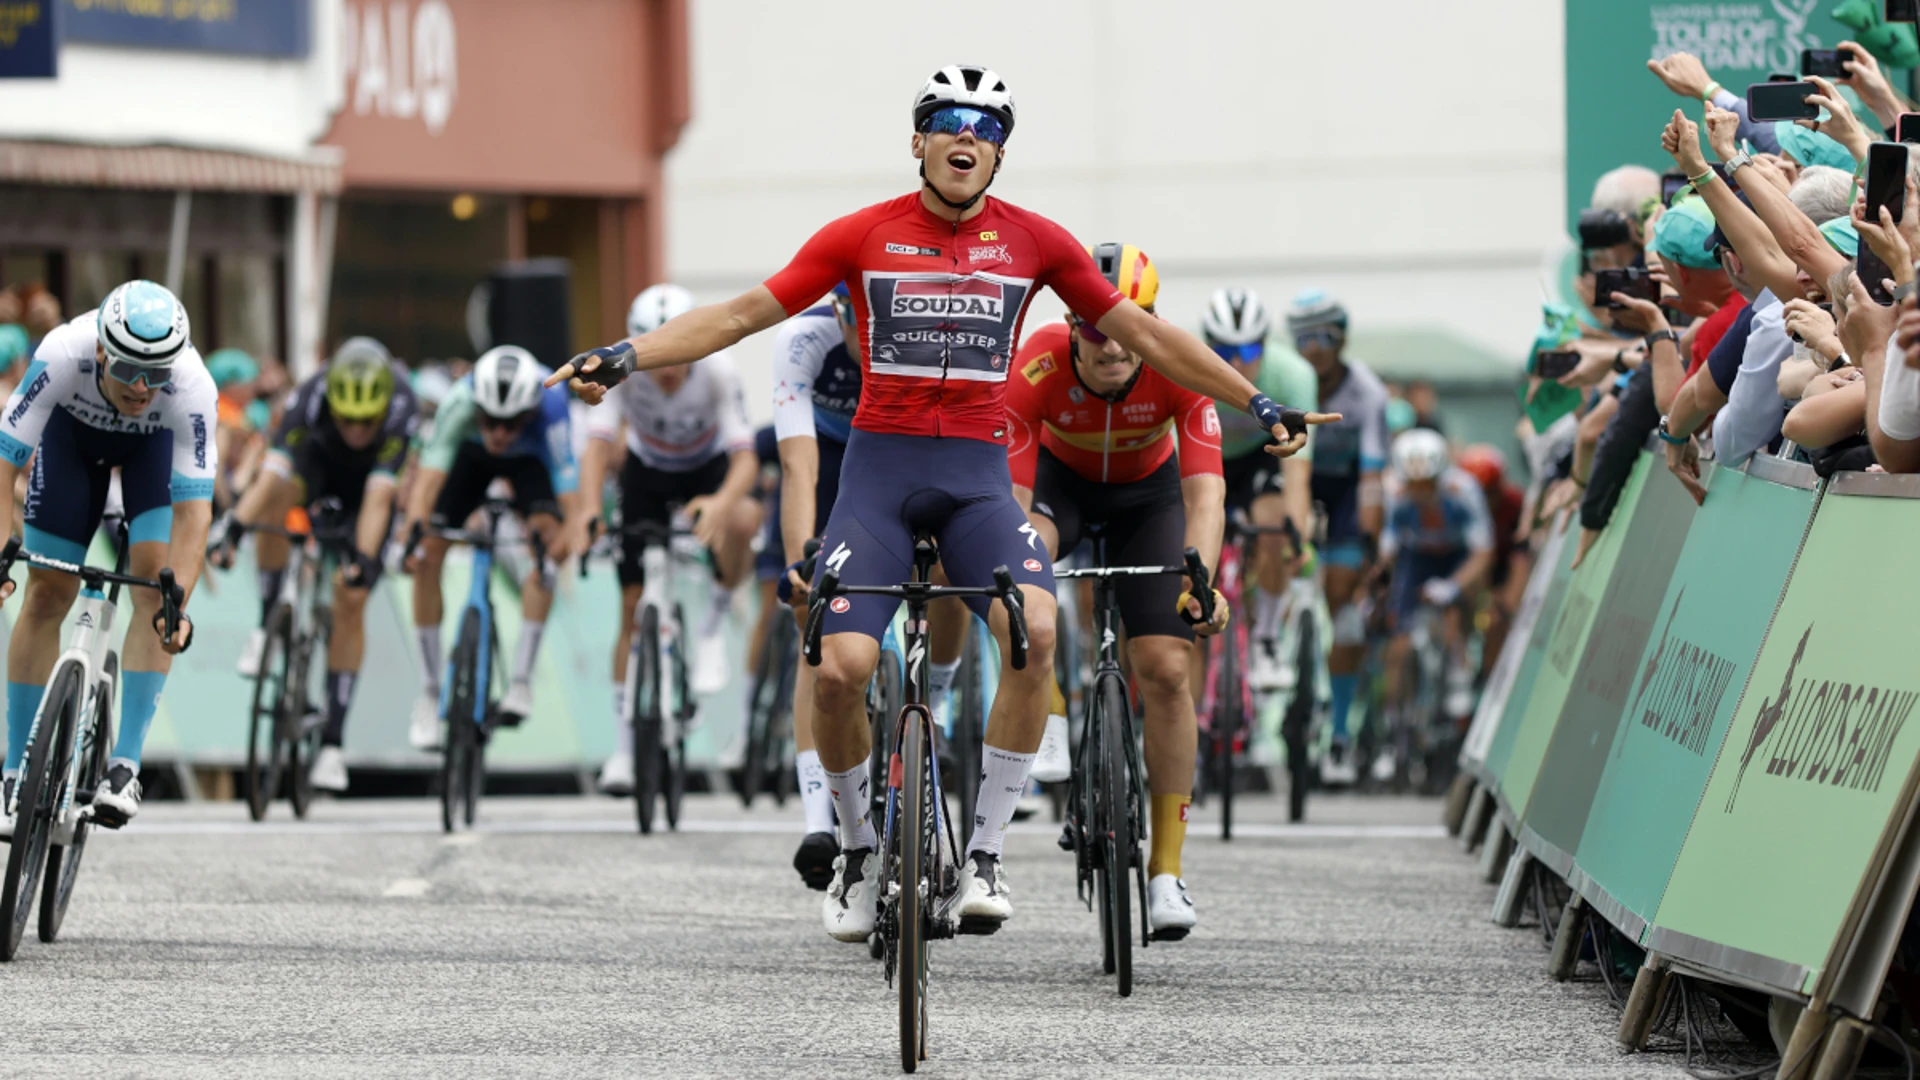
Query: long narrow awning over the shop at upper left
168, 168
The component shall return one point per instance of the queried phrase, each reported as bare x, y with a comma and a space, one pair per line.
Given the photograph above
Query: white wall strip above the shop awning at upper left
185, 99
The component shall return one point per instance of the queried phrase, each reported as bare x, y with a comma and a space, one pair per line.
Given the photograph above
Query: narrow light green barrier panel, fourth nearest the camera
1566, 647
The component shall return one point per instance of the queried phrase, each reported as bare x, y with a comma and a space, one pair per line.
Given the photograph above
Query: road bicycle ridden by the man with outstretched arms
921, 866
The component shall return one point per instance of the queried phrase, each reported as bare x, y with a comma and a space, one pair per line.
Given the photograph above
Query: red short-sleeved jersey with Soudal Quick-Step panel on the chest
940, 307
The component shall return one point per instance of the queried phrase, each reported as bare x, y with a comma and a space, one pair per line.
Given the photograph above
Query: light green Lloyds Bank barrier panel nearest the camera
1815, 762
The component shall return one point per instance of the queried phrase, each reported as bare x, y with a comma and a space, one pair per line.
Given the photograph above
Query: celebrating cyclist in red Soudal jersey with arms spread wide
940, 283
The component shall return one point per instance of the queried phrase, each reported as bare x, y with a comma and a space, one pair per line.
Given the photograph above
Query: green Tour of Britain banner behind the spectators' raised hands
1616, 109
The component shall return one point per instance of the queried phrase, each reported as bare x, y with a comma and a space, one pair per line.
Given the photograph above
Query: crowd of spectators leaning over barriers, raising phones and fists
1764, 337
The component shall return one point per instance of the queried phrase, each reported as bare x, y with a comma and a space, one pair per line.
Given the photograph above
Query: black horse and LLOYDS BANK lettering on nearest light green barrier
1823, 731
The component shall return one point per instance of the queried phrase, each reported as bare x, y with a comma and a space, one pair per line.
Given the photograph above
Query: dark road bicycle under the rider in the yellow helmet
283, 725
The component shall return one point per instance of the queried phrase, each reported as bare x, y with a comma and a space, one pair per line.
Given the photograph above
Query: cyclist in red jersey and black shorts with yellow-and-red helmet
1095, 439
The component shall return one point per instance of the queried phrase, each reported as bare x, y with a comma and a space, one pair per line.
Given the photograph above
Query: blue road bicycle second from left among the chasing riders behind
469, 693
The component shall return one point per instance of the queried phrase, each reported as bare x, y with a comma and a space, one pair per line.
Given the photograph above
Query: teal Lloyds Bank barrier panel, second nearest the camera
1685, 689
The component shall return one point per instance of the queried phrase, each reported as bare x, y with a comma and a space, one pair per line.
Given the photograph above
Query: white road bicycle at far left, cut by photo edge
68, 745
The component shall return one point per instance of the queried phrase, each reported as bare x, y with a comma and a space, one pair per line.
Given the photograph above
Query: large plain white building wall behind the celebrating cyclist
1404, 155
